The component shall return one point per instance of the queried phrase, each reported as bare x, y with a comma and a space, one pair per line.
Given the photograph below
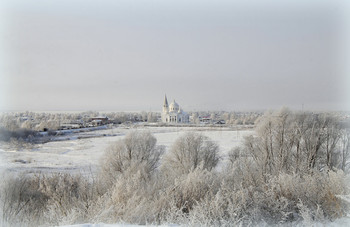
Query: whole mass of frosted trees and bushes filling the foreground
292, 169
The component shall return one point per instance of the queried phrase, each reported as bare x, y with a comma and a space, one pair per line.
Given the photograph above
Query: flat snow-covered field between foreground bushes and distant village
82, 151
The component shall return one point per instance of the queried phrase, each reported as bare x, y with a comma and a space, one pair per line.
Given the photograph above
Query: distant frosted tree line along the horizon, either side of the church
39, 121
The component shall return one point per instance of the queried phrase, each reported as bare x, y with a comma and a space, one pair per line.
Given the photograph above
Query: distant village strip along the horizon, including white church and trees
171, 114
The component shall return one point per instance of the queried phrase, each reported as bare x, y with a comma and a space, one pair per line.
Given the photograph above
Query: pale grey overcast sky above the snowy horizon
208, 55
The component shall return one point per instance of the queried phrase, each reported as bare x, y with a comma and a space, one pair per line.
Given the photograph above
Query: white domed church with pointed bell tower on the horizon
173, 113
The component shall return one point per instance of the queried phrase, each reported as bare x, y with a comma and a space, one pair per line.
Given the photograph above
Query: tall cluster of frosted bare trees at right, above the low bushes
298, 142
